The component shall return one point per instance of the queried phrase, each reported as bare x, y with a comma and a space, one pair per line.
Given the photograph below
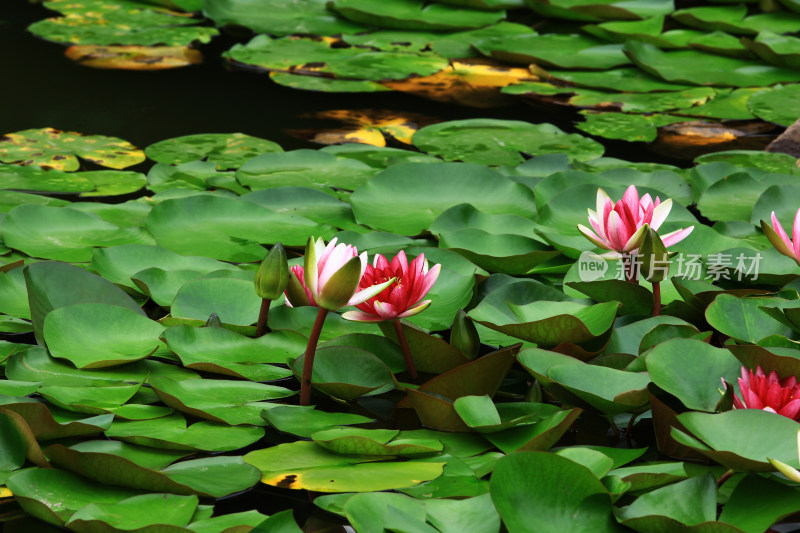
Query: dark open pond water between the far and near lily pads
39, 87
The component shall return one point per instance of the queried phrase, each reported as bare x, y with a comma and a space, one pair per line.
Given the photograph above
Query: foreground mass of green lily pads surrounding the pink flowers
136, 394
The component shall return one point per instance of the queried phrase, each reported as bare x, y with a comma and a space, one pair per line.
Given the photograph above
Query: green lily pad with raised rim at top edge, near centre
410, 15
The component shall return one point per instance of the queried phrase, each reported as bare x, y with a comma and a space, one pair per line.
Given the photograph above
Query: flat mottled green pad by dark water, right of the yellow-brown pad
225, 150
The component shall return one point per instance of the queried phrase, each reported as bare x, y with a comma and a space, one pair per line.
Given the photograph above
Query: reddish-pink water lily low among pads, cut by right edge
768, 392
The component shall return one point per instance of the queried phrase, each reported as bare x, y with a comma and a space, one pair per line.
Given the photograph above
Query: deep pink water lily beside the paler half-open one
402, 298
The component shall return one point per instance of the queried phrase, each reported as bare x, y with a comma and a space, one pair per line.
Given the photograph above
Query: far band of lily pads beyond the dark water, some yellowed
706, 75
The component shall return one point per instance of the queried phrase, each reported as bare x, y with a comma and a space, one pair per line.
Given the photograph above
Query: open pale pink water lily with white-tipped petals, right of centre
621, 227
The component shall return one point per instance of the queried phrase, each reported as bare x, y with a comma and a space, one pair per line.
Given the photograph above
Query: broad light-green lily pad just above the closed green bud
226, 229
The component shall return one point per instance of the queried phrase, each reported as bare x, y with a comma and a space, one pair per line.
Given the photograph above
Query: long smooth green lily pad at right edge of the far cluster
697, 68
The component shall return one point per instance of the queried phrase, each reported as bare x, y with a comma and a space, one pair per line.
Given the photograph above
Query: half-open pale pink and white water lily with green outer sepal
329, 277
